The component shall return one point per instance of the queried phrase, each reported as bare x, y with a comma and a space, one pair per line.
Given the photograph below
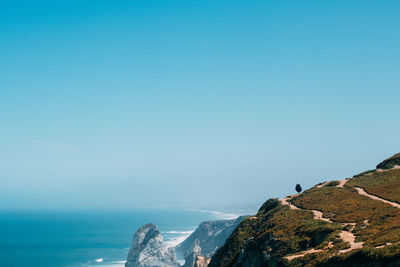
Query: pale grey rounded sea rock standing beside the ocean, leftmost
148, 250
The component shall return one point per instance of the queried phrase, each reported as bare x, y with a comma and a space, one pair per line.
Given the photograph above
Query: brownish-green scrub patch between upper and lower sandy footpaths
345, 205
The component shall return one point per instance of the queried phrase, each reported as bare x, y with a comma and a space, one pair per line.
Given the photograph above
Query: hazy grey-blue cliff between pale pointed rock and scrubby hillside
207, 238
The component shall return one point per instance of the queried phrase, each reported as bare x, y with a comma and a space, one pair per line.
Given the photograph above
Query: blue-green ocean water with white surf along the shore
87, 238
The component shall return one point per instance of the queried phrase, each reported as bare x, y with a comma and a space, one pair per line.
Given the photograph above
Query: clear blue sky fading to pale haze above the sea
123, 104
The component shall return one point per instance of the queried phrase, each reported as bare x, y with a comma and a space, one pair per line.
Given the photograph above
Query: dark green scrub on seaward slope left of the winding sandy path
279, 231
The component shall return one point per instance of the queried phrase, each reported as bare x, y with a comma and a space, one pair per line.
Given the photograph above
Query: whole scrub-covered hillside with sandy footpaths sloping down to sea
352, 222
